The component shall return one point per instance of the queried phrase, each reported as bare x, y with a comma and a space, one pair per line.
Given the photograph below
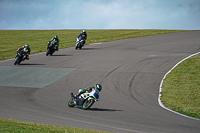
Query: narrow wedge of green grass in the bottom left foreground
13, 126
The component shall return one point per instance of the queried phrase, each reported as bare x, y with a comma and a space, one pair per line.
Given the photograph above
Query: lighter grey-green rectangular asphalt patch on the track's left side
35, 77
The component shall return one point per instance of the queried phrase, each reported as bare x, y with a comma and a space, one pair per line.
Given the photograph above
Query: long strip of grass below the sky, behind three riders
11, 40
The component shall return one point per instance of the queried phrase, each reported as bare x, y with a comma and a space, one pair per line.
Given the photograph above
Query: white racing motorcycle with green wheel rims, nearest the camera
85, 100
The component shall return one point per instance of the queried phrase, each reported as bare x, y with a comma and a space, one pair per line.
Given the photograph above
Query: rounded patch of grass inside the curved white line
181, 88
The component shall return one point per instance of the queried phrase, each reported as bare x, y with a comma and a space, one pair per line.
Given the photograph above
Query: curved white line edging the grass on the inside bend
160, 90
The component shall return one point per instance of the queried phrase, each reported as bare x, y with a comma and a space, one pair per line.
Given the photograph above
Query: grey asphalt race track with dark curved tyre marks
129, 70
